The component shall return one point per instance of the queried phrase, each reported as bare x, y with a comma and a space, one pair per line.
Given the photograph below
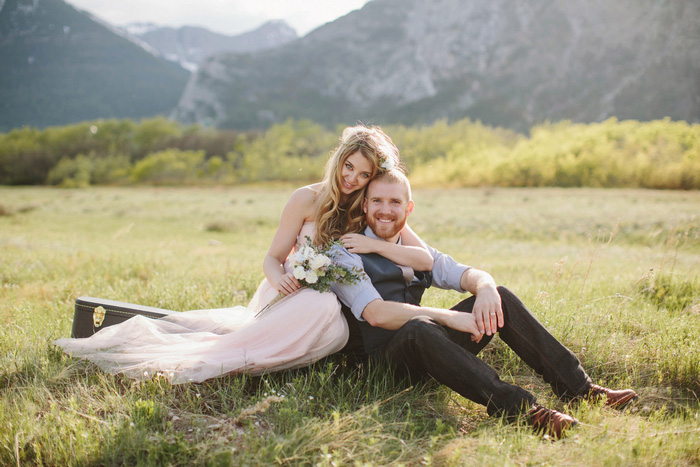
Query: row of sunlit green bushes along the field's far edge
660, 154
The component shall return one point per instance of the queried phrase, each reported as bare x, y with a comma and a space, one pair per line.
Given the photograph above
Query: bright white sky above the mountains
224, 16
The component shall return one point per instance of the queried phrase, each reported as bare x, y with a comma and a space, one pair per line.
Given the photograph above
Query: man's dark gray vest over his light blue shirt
389, 281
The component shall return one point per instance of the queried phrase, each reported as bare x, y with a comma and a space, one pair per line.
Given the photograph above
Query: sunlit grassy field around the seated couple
615, 274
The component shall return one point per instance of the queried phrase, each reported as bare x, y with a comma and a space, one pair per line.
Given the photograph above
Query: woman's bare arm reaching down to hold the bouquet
284, 240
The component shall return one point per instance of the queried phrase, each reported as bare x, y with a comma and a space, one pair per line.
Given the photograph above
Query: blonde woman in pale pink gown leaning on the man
296, 331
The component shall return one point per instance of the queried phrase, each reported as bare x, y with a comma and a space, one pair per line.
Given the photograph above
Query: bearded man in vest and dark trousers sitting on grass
387, 321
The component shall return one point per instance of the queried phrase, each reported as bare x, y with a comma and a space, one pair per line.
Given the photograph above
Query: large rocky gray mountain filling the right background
510, 63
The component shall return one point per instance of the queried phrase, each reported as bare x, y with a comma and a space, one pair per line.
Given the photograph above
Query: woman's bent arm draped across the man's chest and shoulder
411, 252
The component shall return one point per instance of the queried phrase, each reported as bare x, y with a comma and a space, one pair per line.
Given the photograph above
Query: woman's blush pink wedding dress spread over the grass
202, 344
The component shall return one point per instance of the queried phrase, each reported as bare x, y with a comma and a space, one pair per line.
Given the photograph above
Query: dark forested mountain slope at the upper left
61, 66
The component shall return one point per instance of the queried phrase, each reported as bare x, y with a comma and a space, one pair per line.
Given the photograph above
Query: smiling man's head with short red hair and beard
387, 206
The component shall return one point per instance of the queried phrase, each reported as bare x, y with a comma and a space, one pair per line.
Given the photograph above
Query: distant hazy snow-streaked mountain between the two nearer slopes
190, 45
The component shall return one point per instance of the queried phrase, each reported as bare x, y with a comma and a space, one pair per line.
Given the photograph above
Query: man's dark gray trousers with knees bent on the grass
422, 347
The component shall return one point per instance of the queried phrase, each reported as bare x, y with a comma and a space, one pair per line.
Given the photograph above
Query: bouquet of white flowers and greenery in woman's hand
315, 268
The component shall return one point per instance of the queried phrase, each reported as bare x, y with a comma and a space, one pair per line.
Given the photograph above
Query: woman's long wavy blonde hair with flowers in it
332, 219
